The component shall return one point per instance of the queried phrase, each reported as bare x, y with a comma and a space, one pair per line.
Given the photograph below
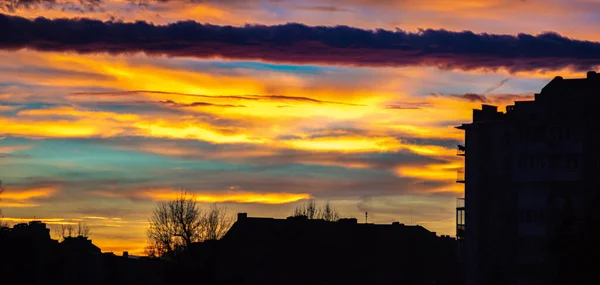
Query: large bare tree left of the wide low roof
178, 223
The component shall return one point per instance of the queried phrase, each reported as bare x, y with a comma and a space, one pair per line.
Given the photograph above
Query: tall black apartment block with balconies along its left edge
522, 167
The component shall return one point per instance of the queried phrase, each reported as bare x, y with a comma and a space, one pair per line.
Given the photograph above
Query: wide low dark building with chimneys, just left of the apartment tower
298, 250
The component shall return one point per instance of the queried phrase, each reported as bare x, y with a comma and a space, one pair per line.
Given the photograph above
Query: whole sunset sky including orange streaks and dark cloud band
110, 106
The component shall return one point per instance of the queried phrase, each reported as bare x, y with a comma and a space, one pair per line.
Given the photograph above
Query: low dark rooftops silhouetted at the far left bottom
28, 255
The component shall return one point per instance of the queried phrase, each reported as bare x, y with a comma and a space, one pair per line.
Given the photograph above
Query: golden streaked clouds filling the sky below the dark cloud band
148, 126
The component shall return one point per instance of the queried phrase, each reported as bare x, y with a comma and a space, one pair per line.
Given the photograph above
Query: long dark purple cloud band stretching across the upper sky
300, 44
